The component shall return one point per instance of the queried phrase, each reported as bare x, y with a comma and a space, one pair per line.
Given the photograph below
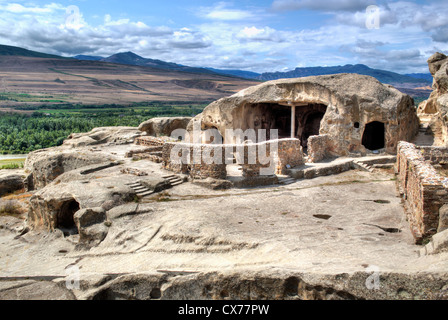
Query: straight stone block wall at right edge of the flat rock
424, 190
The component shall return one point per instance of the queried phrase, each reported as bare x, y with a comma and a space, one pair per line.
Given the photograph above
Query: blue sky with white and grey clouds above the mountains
259, 36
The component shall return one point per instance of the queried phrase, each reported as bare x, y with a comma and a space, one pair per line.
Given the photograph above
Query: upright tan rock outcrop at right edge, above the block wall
437, 104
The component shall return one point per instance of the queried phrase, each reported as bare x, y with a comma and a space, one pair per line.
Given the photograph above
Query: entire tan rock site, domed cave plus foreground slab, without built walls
129, 231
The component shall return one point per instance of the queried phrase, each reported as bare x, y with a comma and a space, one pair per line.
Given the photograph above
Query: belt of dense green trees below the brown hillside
20, 134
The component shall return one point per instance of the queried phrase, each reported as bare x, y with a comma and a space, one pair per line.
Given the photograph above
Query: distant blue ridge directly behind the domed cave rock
382, 75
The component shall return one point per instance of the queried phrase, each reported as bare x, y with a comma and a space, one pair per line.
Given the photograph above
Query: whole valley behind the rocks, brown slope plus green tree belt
43, 99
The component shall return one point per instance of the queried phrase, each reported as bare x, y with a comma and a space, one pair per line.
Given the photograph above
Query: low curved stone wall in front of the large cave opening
203, 161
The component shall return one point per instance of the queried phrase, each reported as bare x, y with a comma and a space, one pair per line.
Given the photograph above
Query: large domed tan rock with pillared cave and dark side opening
346, 105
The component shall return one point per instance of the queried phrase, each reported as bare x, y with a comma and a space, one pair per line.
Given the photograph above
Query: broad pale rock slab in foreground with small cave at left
297, 241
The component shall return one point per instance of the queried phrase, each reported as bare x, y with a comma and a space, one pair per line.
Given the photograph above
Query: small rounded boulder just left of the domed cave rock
164, 126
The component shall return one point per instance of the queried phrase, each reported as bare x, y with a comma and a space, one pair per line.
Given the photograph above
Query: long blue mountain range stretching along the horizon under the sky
417, 85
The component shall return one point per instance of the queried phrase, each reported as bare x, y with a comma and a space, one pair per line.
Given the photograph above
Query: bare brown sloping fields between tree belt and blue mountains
36, 81
